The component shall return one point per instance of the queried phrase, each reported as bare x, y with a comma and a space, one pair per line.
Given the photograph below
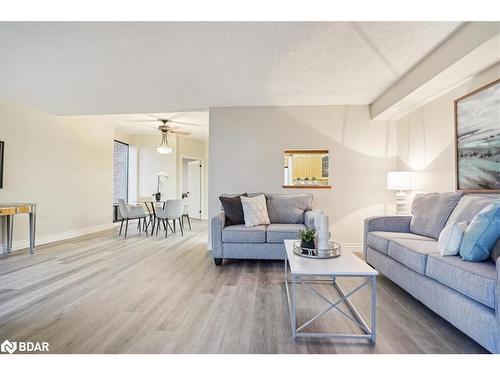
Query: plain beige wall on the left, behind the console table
62, 164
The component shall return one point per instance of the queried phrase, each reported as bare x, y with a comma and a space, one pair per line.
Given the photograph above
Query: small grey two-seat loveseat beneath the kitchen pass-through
287, 213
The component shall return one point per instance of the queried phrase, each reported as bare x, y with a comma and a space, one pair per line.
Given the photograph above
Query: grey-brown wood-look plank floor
104, 294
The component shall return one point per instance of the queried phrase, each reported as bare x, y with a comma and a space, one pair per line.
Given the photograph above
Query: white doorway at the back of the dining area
192, 178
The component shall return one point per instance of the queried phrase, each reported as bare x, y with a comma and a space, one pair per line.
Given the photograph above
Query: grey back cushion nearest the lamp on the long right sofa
431, 211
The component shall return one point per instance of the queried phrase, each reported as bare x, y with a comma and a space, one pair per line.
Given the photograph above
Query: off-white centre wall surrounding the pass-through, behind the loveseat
246, 155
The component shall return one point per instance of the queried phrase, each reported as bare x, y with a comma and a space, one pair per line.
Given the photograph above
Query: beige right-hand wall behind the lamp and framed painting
426, 137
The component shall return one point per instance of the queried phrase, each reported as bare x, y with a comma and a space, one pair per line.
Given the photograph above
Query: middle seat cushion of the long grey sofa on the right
412, 253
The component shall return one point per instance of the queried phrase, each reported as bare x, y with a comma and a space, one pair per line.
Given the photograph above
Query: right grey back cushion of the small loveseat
288, 209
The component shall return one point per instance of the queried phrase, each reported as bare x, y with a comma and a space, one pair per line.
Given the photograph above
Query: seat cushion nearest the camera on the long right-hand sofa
475, 280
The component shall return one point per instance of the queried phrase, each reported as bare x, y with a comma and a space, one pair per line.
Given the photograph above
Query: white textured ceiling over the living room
106, 68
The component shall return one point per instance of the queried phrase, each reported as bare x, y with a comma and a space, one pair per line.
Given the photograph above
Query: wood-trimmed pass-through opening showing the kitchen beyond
306, 169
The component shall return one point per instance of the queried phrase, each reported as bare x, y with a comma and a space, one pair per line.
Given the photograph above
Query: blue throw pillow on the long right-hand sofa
482, 234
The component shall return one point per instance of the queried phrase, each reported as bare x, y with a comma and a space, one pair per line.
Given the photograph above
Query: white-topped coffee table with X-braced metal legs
304, 271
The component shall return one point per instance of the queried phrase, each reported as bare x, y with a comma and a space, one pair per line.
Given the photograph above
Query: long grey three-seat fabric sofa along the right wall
467, 294
